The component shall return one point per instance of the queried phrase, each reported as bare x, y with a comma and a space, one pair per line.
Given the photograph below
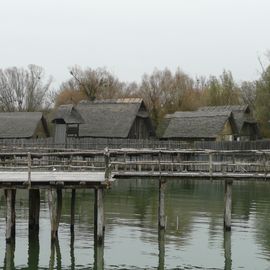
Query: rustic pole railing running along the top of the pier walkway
148, 161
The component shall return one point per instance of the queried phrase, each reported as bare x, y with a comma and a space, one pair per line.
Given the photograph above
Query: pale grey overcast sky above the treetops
132, 37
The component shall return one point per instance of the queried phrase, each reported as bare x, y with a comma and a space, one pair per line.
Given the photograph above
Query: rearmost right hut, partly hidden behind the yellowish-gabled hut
247, 126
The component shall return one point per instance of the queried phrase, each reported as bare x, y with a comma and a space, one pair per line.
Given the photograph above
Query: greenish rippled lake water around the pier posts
194, 237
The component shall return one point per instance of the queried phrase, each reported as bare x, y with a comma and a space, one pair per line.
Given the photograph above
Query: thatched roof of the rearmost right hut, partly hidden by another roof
241, 113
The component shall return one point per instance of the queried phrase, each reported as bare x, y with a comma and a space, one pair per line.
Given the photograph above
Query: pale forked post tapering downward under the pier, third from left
55, 208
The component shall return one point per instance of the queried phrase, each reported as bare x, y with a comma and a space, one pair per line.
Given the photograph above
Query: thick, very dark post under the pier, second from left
34, 209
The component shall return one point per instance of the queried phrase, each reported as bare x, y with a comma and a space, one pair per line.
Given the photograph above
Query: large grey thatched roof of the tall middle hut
110, 118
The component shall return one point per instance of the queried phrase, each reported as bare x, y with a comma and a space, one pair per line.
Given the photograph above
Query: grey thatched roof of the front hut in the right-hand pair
198, 124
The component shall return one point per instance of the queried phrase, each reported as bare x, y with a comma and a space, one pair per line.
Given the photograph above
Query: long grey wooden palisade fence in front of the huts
101, 143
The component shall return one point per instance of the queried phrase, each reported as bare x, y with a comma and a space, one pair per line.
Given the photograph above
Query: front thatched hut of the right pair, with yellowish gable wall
193, 126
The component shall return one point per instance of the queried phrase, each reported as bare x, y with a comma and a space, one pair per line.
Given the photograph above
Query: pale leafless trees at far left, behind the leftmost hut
23, 89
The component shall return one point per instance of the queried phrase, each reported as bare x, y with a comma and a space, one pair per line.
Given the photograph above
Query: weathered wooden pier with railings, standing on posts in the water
73, 169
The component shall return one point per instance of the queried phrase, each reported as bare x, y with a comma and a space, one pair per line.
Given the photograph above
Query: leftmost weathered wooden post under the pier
10, 214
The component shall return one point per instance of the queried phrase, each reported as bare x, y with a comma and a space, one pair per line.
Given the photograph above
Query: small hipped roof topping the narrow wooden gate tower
67, 114
